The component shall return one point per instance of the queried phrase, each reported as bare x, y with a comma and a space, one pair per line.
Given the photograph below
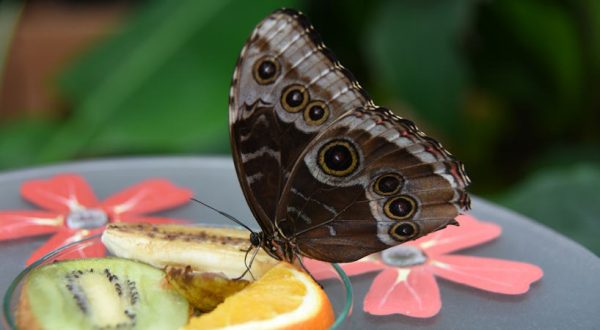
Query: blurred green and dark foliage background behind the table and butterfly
510, 87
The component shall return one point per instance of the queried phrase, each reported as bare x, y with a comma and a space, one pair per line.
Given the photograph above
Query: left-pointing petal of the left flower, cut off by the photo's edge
17, 224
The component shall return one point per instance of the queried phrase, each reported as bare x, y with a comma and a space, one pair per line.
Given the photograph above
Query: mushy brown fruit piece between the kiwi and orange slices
203, 290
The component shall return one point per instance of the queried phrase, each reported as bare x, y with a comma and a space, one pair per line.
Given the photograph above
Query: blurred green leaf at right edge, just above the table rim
566, 199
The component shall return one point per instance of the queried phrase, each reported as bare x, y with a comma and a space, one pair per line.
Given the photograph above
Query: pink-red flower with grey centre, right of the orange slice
406, 283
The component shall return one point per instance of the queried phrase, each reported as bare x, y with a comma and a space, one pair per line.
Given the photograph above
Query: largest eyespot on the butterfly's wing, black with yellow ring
338, 158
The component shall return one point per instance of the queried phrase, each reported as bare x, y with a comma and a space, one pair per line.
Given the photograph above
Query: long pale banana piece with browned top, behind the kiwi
204, 248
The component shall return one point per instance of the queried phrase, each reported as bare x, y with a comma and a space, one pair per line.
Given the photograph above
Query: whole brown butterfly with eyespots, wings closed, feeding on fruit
327, 173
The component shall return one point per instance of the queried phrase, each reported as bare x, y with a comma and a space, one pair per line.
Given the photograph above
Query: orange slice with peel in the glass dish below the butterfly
284, 298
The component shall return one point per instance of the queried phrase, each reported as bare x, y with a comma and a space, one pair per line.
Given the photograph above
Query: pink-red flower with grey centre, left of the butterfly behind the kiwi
73, 212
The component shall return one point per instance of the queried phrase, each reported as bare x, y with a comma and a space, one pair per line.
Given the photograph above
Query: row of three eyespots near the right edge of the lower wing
399, 208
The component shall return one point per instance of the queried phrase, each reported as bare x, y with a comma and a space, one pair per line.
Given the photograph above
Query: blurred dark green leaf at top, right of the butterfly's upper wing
414, 48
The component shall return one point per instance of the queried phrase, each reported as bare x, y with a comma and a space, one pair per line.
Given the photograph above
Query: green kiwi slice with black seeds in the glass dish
103, 293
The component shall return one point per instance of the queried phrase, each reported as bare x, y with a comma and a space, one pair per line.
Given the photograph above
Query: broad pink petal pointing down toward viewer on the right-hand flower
408, 291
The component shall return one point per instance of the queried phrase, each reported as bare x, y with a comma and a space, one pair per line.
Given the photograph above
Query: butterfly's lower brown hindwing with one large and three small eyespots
371, 180
